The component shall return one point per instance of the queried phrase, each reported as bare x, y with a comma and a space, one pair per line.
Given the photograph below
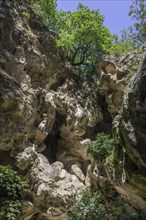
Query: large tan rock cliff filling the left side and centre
44, 115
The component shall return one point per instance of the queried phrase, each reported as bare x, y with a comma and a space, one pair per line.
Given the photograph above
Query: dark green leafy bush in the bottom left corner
12, 191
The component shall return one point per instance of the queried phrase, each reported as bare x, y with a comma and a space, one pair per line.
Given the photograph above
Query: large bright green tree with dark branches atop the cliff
83, 35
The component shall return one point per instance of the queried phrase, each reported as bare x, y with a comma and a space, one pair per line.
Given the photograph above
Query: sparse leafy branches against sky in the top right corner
138, 14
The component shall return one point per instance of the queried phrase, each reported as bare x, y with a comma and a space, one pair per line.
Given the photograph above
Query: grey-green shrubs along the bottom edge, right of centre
102, 206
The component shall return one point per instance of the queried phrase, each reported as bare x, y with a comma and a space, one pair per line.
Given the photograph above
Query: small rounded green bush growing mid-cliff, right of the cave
102, 147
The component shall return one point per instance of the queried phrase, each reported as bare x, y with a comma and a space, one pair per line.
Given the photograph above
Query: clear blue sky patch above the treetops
115, 12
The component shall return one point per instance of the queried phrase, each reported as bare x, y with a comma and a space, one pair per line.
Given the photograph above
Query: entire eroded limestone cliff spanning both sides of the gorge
47, 117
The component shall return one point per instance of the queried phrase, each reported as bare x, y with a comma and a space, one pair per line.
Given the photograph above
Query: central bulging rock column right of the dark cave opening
75, 113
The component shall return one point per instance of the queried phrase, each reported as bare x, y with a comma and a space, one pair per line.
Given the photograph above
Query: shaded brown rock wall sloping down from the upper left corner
29, 66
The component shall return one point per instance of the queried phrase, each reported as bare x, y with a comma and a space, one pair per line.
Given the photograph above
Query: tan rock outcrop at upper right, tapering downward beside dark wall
115, 73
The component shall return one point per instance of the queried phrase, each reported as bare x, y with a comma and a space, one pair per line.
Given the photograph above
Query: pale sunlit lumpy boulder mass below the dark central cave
52, 185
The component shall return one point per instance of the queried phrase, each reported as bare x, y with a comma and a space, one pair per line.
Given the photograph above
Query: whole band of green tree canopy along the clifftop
84, 36
